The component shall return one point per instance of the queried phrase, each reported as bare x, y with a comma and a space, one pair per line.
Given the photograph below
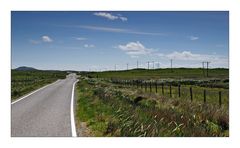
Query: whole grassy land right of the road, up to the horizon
116, 103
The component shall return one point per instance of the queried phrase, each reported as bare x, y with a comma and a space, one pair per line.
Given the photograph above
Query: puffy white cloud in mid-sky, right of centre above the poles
134, 49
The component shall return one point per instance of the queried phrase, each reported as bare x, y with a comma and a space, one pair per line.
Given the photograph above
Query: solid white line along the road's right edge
74, 134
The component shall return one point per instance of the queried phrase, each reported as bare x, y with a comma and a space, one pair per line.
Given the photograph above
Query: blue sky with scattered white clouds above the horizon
98, 41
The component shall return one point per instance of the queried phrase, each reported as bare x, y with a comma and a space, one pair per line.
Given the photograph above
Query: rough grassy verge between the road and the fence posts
115, 110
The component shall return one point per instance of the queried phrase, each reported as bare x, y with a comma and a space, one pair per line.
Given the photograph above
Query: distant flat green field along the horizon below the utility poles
176, 73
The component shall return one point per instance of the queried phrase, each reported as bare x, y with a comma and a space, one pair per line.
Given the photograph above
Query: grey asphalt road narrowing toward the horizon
45, 113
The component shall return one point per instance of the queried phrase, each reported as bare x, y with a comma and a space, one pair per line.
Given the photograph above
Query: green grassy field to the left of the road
23, 82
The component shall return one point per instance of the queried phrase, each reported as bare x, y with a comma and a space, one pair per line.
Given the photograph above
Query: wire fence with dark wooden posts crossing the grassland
215, 96
